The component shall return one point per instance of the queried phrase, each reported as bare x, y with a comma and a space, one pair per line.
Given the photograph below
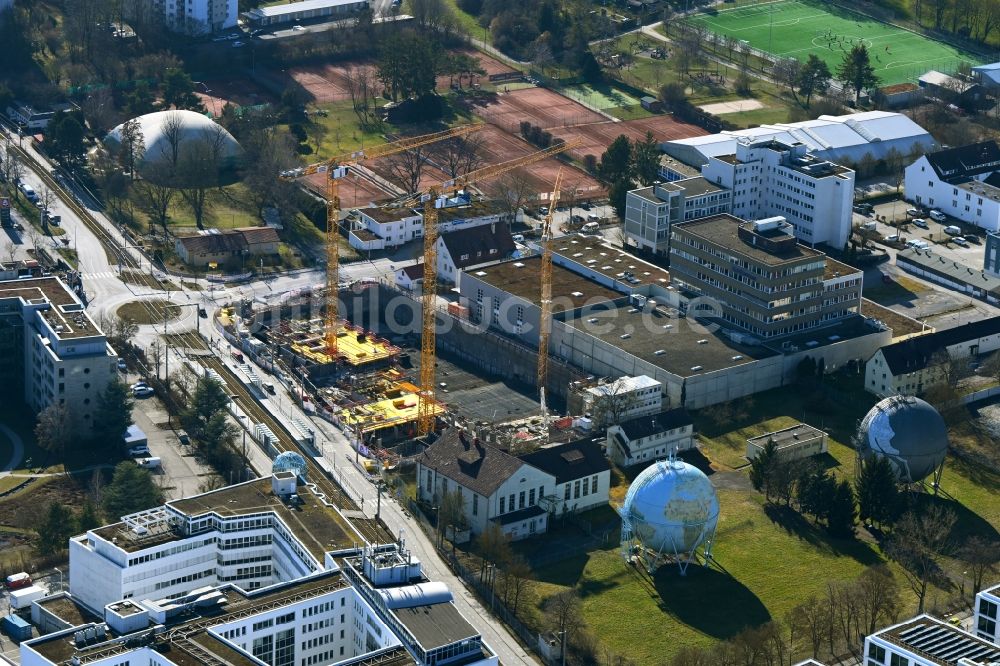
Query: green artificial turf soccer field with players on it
794, 29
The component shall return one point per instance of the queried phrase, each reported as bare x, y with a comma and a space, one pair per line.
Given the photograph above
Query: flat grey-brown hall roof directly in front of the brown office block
678, 345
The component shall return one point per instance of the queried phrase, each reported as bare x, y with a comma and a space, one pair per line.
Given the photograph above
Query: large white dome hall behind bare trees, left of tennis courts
174, 137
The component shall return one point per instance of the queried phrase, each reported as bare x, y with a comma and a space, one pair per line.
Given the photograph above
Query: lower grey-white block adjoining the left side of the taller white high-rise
650, 211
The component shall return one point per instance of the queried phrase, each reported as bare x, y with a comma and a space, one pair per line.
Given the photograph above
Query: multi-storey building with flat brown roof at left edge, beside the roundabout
50, 349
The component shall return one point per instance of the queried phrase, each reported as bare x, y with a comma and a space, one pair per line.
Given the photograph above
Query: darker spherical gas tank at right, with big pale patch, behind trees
909, 433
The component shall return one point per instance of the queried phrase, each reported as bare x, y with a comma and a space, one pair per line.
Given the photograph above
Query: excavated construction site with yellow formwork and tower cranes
388, 391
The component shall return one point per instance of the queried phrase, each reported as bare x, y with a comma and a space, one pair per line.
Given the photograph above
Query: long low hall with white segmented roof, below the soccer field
842, 139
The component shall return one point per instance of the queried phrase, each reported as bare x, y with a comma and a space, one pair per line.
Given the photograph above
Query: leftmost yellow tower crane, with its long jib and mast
337, 168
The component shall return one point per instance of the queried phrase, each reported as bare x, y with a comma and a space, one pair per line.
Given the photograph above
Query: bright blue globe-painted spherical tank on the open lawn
670, 511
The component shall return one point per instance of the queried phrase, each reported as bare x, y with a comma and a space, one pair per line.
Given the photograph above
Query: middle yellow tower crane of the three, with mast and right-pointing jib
433, 200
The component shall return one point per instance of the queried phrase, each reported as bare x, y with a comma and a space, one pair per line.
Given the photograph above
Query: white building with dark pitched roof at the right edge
961, 182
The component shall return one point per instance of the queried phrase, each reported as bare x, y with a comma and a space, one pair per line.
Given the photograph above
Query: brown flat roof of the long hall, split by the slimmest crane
522, 278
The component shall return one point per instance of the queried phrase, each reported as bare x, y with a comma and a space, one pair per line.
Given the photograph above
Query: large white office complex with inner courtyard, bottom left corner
260, 573
